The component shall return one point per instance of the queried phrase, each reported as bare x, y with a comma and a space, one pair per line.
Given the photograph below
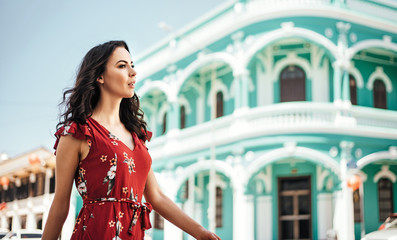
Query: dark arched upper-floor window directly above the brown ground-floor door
292, 84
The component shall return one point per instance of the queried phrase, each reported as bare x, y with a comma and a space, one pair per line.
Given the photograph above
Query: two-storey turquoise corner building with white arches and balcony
263, 111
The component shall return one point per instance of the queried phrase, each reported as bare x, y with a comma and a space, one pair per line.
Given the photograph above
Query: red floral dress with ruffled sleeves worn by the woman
111, 181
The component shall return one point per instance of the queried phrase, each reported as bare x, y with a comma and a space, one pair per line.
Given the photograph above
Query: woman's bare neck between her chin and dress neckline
107, 111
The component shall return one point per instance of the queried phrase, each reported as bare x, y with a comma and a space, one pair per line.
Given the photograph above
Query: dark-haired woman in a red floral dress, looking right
101, 145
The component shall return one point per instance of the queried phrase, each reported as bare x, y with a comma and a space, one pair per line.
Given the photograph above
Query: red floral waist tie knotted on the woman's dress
141, 211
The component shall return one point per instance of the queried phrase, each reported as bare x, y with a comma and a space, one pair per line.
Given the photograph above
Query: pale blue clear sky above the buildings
44, 41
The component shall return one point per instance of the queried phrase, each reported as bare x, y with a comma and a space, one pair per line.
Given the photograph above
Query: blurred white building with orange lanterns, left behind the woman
27, 186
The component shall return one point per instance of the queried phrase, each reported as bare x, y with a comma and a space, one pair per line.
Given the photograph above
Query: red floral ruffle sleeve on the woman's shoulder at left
78, 131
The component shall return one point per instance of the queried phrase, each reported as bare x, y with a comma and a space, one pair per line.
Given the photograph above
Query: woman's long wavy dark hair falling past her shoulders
80, 100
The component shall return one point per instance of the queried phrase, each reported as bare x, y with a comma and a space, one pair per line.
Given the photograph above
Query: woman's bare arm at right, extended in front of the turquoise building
170, 211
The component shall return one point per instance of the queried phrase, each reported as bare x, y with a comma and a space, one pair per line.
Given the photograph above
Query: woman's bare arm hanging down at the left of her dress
67, 159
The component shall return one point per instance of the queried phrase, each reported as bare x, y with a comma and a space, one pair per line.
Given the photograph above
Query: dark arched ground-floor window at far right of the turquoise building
385, 198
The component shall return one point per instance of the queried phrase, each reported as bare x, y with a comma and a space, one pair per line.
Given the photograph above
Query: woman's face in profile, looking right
119, 77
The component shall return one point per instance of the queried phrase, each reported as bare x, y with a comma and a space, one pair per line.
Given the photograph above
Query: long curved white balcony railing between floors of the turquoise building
278, 119
